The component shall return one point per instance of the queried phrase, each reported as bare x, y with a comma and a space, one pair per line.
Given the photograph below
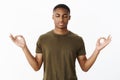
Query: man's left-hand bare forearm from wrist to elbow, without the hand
31, 59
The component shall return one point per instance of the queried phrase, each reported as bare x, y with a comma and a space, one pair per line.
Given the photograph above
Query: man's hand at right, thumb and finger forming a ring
102, 42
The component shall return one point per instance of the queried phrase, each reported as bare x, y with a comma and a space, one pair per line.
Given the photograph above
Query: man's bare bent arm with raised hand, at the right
87, 63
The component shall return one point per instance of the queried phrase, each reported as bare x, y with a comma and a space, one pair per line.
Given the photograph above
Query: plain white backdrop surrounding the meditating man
90, 19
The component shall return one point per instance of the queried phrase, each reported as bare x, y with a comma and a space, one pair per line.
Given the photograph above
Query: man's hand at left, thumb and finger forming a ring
18, 40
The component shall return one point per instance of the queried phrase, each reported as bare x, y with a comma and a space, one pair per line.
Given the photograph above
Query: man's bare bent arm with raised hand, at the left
36, 61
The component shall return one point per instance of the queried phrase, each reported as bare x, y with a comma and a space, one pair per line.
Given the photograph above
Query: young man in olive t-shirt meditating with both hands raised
60, 48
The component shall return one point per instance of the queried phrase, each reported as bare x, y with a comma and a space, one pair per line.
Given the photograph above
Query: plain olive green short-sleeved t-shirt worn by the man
59, 54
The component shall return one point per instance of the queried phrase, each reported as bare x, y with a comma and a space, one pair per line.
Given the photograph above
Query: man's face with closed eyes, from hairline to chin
61, 17
